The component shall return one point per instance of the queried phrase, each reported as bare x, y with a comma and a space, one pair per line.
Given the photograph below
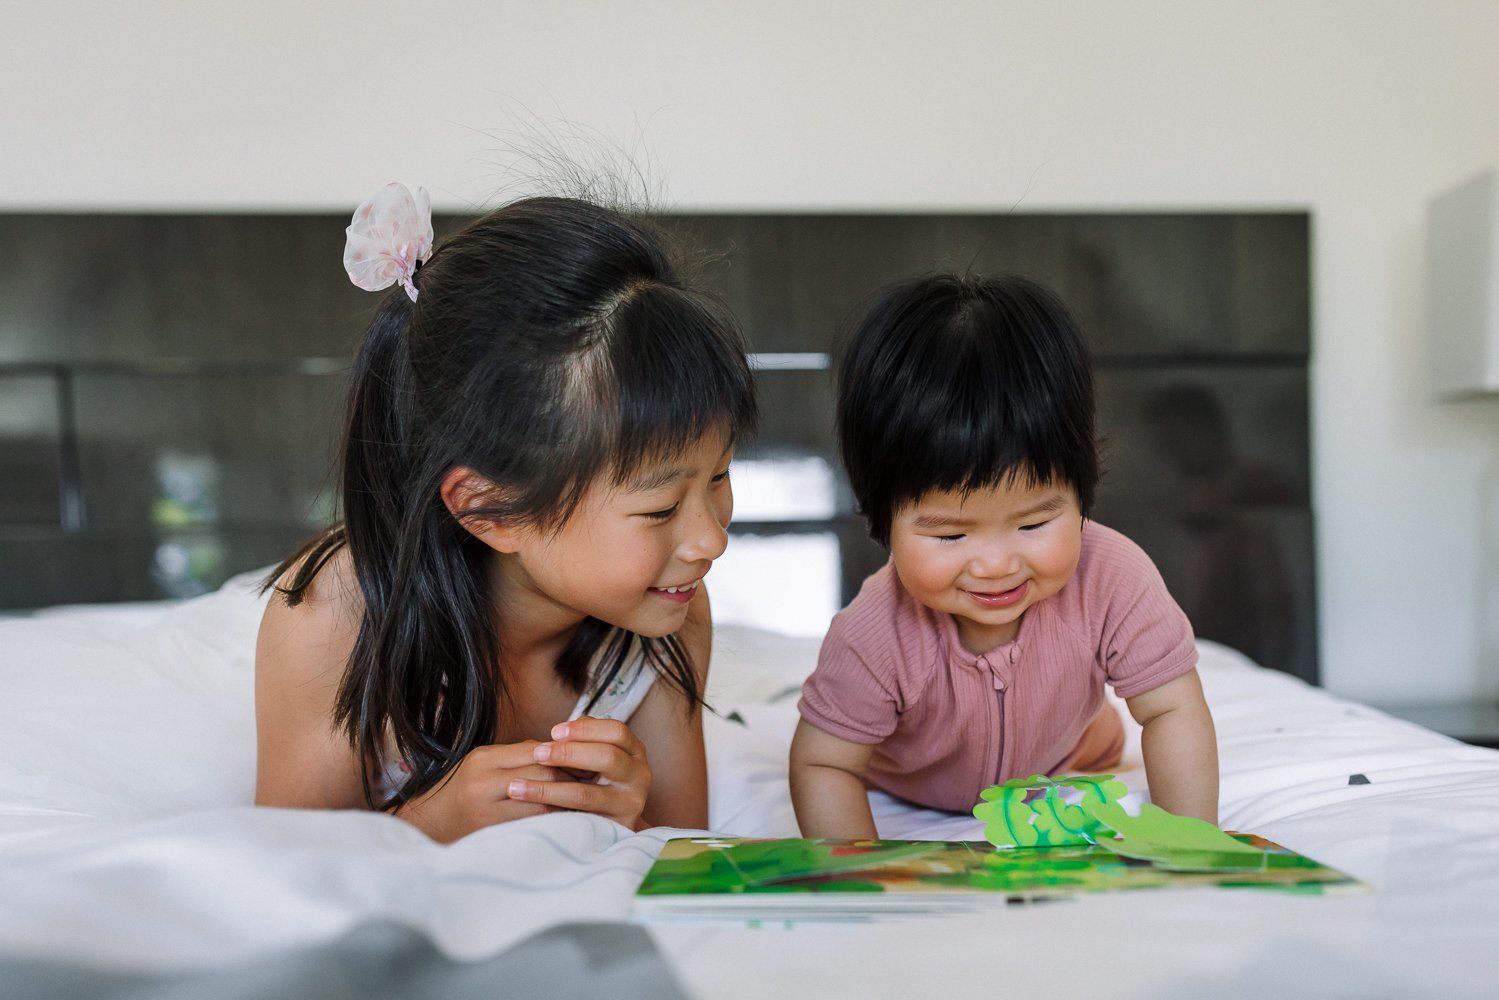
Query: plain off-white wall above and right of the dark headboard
1354, 110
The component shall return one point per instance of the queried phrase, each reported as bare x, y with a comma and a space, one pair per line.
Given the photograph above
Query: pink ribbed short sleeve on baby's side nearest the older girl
852, 695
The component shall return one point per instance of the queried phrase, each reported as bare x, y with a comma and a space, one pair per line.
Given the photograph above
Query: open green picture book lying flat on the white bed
792, 879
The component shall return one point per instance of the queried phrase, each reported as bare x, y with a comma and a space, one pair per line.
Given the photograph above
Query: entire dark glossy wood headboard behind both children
170, 389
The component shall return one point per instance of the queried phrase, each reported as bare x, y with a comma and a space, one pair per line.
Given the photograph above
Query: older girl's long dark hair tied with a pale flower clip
552, 343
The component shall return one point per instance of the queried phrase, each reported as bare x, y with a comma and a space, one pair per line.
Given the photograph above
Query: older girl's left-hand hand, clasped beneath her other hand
477, 792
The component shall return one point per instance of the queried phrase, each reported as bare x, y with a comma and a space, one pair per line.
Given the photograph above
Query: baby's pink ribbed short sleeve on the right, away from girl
1146, 638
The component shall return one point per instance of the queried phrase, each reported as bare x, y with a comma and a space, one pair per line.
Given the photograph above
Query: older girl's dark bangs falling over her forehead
680, 373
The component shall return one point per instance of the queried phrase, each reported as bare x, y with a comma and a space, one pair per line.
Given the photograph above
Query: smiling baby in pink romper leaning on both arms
981, 651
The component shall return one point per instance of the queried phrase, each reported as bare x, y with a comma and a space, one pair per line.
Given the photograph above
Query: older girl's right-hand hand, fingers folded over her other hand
609, 762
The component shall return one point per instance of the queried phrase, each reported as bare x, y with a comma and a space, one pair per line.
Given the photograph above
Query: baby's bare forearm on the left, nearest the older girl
828, 788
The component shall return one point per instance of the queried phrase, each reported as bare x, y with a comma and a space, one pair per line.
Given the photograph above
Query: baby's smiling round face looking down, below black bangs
989, 555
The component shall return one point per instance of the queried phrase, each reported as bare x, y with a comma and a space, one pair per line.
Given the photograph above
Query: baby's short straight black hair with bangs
962, 383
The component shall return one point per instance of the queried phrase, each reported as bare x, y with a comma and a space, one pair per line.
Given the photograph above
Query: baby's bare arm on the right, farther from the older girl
1180, 747
